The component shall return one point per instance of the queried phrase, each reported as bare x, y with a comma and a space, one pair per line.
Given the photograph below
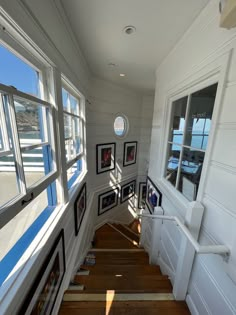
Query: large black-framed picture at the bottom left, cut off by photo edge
42, 295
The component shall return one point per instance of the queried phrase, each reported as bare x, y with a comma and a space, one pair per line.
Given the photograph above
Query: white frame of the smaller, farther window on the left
67, 85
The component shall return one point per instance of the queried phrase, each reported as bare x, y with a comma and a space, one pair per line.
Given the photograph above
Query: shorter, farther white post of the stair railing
156, 237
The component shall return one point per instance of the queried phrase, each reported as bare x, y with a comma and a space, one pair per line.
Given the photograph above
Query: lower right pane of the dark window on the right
191, 168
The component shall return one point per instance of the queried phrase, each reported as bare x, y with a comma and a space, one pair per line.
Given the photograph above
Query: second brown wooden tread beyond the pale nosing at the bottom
121, 269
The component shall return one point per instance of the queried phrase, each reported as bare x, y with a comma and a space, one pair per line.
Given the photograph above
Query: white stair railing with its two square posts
180, 277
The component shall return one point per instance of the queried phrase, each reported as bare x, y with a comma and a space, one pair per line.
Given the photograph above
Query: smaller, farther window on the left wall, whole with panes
74, 120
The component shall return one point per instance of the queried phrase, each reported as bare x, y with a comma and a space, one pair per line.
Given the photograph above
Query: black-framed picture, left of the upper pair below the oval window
105, 157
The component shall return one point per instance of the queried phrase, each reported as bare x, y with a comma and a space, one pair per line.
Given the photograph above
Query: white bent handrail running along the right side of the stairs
200, 249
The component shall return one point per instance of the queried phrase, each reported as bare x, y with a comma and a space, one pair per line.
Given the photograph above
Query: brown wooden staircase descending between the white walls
120, 279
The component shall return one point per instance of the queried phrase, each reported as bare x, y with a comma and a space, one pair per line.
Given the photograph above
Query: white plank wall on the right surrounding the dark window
203, 48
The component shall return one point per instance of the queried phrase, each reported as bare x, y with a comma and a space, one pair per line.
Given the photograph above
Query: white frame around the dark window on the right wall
204, 76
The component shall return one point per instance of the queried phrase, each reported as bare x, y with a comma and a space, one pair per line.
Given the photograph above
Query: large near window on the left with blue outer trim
28, 167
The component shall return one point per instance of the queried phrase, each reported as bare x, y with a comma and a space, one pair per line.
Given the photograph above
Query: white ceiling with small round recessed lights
98, 25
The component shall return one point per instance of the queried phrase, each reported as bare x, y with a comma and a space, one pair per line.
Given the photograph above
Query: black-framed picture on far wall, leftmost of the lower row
108, 200
